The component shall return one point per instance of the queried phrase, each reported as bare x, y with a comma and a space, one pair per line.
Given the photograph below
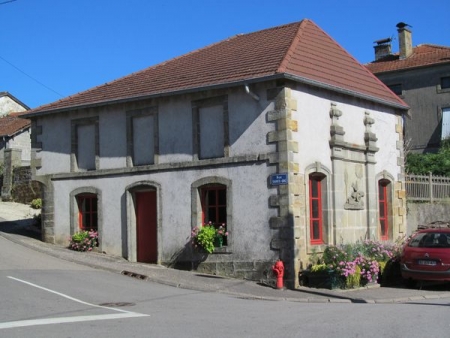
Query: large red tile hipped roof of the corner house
300, 50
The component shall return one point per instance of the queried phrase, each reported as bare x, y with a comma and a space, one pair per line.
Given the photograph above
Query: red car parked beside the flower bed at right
427, 256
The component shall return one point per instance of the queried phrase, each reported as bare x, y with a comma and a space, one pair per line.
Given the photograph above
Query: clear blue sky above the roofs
51, 49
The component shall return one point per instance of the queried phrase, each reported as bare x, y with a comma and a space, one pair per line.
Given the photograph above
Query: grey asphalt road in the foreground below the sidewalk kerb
42, 296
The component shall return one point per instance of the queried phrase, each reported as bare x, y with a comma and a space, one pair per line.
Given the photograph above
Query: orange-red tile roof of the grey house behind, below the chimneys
423, 55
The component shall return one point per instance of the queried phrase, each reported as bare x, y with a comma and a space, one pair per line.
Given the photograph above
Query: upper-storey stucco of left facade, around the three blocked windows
247, 130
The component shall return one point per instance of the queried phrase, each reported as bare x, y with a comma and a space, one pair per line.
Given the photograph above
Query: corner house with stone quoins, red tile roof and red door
280, 134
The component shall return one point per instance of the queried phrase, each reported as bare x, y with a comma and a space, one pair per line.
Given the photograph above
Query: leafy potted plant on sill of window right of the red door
208, 237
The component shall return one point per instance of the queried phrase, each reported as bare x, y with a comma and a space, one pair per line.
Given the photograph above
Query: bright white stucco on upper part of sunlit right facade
314, 129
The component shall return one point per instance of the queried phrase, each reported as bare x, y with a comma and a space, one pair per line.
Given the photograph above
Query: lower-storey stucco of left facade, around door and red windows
249, 230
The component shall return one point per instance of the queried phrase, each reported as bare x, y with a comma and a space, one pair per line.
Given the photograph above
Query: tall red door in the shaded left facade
146, 232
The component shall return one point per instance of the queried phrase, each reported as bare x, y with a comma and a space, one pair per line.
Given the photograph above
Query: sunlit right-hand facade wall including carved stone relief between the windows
346, 222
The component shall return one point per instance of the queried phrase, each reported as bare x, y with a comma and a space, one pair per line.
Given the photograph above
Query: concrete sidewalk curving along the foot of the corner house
18, 231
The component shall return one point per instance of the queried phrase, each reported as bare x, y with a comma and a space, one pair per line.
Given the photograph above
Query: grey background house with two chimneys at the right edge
421, 76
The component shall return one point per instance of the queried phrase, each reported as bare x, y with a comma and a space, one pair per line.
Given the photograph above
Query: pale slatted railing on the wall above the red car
427, 187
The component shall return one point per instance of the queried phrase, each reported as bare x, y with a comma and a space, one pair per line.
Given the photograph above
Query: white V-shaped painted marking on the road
46, 321
